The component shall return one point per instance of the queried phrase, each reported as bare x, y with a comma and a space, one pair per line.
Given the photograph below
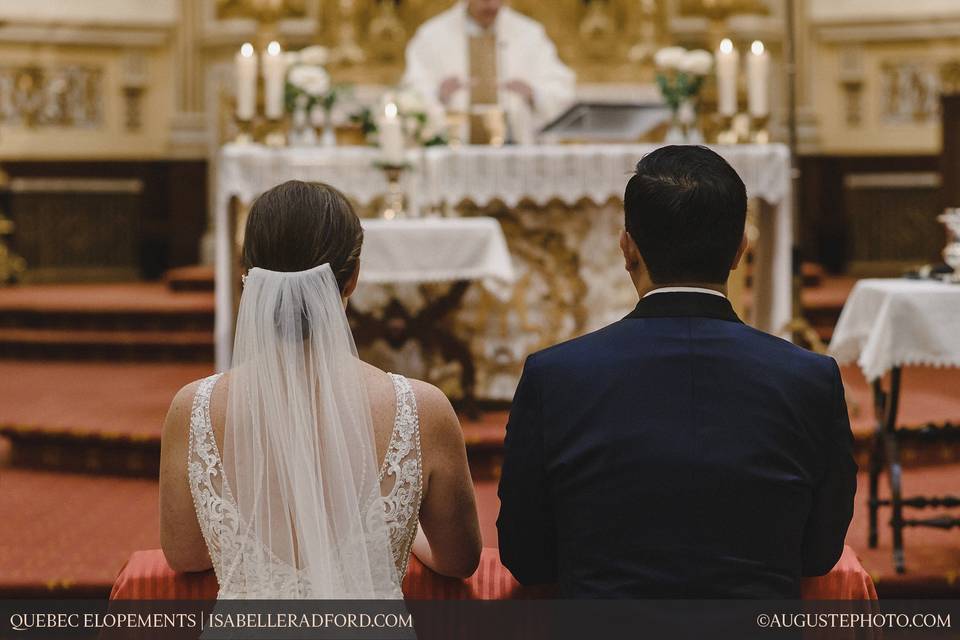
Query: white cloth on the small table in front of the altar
437, 250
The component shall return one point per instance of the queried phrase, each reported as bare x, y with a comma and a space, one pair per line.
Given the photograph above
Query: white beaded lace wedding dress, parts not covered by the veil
401, 485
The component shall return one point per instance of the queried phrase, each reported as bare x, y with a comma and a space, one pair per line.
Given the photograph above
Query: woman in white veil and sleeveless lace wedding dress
303, 472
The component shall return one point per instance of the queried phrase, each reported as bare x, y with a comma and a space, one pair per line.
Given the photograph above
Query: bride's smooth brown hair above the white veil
298, 225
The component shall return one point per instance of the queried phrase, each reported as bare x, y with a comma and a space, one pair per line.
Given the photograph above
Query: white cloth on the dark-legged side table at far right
890, 323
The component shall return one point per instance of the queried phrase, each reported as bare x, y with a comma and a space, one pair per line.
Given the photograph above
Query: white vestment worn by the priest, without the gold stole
439, 50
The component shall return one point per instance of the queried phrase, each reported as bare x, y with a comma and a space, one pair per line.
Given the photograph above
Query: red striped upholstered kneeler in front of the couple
146, 576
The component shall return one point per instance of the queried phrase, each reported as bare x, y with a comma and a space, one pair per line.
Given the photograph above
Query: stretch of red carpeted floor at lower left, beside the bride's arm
69, 535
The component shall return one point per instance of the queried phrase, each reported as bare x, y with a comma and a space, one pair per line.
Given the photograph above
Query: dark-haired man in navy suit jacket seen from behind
678, 452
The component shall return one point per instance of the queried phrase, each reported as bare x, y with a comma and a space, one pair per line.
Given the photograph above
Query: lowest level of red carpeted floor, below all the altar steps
71, 534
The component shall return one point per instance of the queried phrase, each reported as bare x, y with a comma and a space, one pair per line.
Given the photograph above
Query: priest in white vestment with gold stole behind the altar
480, 56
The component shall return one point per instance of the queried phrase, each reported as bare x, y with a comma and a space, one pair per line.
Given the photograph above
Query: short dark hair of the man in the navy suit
686, 208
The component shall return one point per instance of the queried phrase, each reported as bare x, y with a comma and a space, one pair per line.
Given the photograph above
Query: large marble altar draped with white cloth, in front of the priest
560, 207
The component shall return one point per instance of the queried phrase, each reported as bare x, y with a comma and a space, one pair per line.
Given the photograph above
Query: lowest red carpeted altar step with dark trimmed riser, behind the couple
106, 418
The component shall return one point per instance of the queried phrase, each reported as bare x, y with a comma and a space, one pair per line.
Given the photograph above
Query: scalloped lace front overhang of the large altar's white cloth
479, 174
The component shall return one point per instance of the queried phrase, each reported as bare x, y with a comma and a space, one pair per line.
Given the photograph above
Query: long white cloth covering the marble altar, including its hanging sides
482, 175
